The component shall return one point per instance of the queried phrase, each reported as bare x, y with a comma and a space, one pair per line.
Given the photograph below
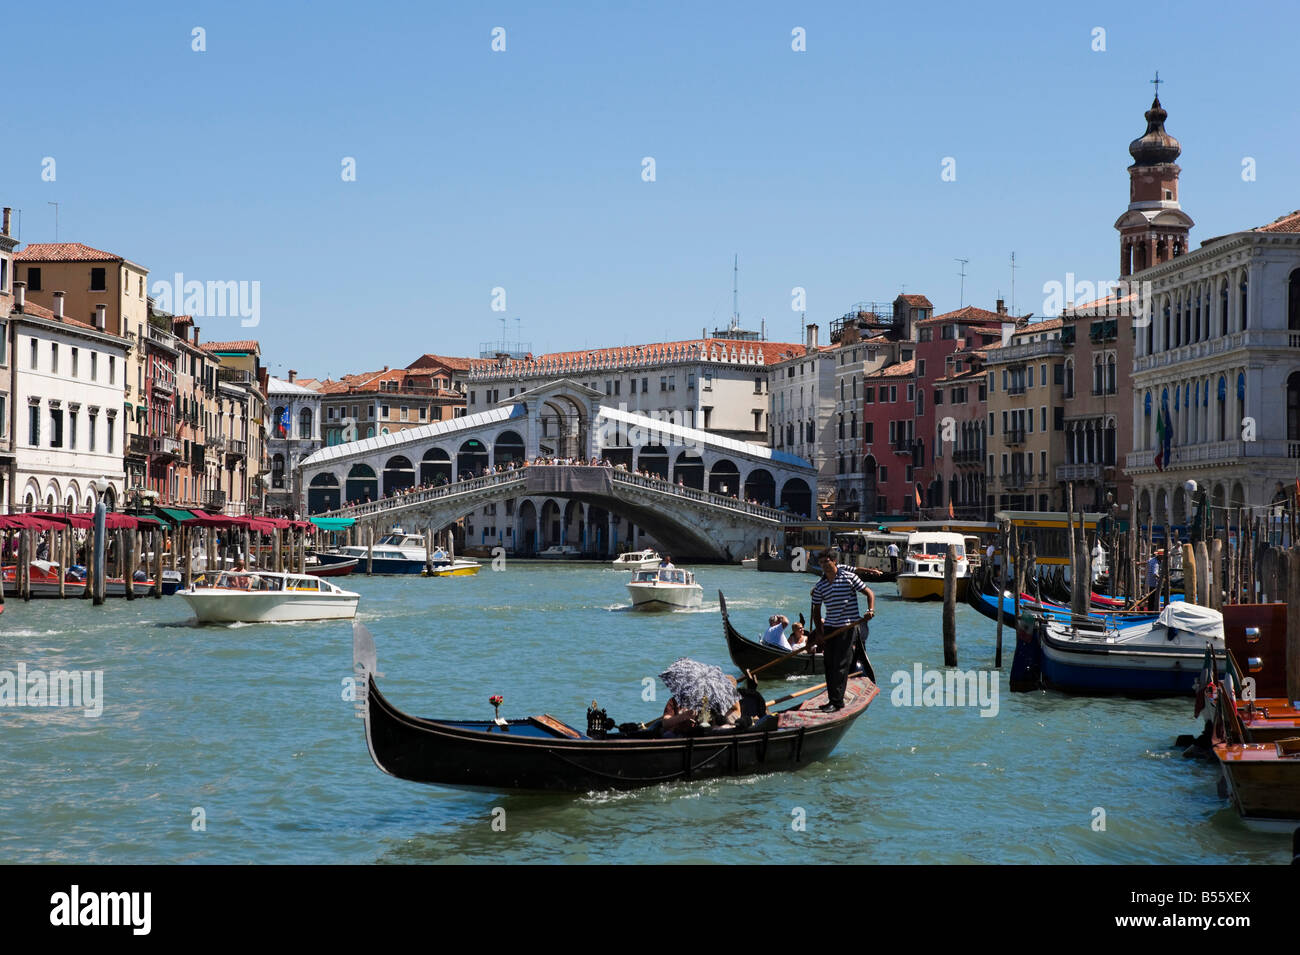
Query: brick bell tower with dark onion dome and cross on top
1155, 228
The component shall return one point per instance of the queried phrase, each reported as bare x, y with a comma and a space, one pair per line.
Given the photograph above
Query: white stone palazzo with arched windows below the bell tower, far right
1221, 351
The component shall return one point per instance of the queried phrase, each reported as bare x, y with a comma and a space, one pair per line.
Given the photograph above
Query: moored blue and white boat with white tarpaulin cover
1160, 657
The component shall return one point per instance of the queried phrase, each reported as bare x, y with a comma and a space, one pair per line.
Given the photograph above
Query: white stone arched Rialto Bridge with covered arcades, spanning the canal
697, 494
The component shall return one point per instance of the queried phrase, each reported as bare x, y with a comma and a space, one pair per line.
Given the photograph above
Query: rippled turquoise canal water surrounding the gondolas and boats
236, 744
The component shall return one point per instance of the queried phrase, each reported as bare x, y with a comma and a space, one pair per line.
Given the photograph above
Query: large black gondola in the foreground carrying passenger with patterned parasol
541, 754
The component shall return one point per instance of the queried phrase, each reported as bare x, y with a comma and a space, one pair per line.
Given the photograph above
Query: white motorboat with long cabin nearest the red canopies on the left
261, 597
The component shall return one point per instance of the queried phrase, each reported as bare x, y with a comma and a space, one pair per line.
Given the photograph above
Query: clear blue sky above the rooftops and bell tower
522, 170
